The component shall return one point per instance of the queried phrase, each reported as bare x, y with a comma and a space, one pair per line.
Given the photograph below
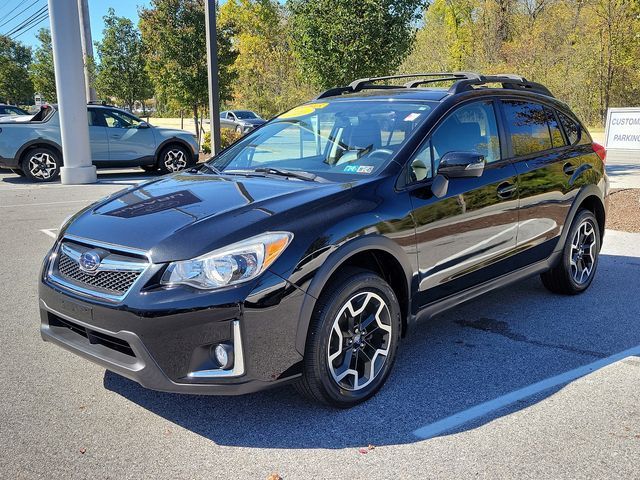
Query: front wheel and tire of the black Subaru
331, 375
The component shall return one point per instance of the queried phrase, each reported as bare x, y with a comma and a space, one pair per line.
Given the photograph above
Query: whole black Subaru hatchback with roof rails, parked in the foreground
305, 251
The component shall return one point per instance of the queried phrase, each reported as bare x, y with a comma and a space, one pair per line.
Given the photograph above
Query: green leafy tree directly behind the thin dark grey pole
173, 32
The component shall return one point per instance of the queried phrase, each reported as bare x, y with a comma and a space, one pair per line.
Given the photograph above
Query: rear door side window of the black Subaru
528, 125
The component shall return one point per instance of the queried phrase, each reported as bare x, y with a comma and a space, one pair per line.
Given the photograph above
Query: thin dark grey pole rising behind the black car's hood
212, 62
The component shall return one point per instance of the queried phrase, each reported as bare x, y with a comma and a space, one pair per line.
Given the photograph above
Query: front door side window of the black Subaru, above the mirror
470, 128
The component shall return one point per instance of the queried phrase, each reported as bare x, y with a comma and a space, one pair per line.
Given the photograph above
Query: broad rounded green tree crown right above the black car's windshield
339, 40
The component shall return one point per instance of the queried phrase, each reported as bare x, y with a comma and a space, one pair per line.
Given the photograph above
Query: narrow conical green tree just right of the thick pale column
121, 70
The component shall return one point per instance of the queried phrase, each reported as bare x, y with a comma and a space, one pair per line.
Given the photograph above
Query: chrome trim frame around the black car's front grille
94, 294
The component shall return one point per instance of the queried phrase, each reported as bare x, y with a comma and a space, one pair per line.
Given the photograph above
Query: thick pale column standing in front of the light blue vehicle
70, 86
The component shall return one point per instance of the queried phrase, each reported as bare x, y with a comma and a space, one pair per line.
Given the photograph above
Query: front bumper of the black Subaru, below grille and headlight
169, 349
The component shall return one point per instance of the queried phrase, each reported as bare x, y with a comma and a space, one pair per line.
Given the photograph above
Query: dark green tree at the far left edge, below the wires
15, 84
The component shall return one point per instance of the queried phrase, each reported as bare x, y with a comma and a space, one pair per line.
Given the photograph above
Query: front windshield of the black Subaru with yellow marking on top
357, 137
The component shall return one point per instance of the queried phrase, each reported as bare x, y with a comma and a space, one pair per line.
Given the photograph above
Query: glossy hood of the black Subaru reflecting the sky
188, 214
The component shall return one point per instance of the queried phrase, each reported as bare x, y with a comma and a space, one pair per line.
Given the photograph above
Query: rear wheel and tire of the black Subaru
577, 267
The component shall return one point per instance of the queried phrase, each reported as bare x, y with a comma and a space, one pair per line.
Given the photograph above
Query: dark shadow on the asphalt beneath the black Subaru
496, 344
